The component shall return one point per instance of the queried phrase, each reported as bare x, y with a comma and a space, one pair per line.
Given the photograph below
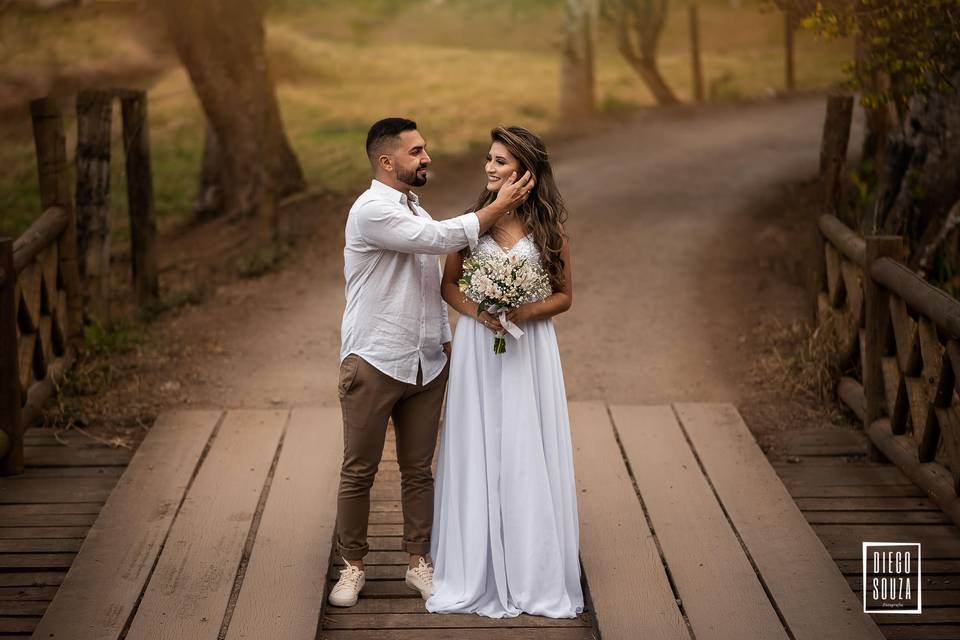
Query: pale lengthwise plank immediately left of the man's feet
295, 535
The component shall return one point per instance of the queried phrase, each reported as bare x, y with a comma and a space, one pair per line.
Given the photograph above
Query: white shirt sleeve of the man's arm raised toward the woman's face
389, 226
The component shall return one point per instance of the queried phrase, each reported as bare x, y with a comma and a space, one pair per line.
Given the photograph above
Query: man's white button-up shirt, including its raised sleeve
394, 317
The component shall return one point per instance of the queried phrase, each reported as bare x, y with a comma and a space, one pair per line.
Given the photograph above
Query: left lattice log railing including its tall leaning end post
40, 305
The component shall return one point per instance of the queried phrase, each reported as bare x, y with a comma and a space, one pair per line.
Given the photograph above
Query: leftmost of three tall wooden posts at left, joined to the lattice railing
55, 192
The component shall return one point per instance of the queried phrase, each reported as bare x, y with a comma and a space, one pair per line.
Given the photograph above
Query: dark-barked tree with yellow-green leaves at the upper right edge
907, 69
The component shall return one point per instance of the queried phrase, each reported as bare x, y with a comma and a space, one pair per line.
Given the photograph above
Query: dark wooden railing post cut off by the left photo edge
11, 429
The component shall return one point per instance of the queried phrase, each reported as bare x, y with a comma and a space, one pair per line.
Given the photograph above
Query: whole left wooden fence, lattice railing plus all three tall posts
42, 293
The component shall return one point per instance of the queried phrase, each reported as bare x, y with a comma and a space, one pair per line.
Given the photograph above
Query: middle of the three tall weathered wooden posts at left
94, 116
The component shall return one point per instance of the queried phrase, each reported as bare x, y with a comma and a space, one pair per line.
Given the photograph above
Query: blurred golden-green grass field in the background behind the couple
458, 67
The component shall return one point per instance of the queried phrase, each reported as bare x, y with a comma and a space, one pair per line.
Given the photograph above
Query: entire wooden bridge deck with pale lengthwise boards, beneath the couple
222, 523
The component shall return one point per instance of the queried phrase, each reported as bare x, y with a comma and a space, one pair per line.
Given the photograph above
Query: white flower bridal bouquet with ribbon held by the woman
501, 283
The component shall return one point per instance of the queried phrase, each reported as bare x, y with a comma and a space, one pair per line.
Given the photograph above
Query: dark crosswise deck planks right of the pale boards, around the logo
847, 499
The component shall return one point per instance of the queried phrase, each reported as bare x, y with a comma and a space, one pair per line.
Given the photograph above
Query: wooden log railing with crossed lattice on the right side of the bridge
900, 337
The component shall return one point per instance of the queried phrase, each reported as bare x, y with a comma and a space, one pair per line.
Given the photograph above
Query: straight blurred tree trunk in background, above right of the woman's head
576, 68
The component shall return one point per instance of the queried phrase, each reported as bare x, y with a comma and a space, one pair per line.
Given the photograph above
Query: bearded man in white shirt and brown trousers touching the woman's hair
395, 343
